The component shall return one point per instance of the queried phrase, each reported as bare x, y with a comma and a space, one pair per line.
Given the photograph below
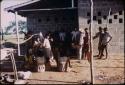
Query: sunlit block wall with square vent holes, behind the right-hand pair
115, 24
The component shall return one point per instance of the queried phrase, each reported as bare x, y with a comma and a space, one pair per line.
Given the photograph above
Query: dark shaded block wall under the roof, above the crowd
52, 20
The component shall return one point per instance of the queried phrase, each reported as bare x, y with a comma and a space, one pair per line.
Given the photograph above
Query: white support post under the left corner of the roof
17, 33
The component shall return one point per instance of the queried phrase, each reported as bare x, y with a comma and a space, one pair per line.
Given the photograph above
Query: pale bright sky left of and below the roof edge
6, 17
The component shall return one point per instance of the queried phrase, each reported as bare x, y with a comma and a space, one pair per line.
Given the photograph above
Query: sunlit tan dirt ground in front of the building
109, 71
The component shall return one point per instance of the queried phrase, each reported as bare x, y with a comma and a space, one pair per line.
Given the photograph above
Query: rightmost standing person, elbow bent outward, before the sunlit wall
106, 38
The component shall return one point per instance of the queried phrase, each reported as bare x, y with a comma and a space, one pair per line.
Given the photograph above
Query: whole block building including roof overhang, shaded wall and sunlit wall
50, 15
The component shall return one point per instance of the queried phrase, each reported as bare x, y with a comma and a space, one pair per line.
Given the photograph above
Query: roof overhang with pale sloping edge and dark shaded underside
42, 5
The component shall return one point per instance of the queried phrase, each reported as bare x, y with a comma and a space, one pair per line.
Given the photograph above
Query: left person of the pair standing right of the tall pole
99, 35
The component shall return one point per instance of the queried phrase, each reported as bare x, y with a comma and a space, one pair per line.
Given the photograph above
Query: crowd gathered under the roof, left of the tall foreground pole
60, 43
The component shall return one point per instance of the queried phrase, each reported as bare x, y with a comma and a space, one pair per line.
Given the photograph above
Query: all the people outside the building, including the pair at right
66, 43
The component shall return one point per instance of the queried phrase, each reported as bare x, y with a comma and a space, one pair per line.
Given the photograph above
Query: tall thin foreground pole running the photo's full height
91, 44
